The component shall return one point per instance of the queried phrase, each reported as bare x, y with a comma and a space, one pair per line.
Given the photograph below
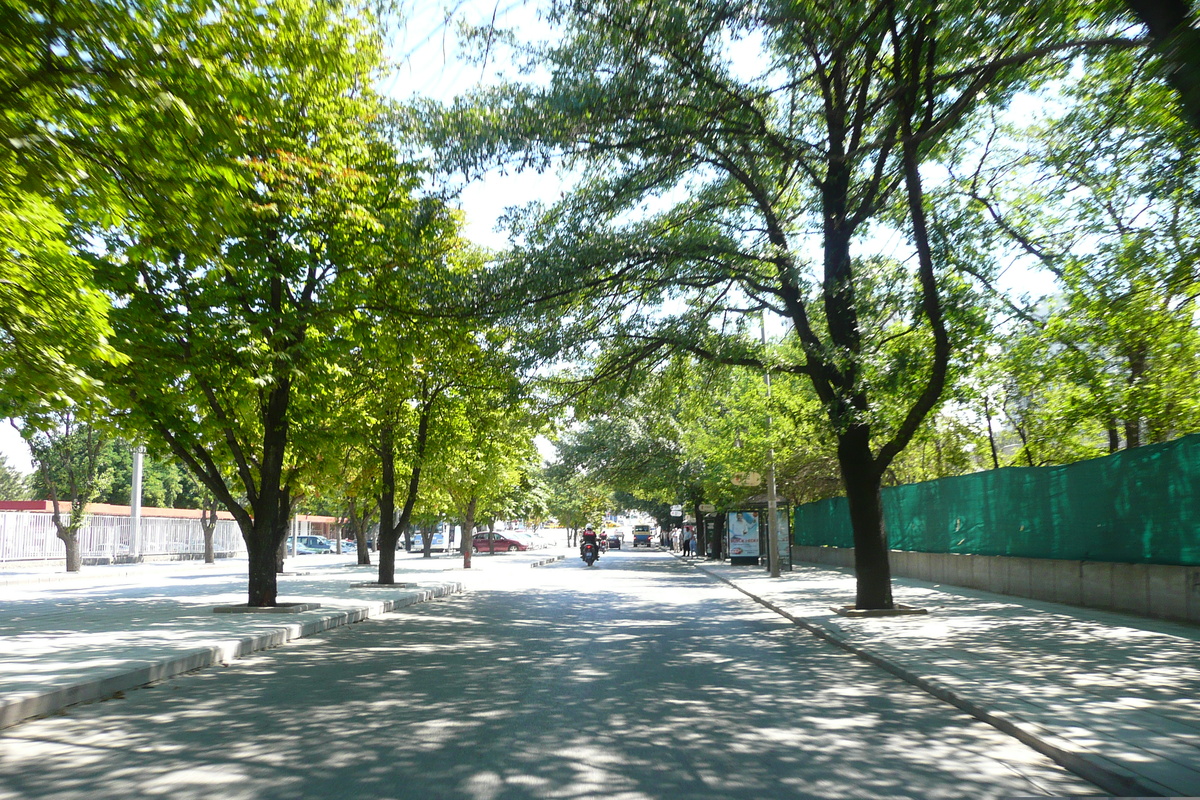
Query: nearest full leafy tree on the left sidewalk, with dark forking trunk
231, 320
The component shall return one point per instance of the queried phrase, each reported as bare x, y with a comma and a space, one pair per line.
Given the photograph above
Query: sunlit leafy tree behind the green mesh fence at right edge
1102, 195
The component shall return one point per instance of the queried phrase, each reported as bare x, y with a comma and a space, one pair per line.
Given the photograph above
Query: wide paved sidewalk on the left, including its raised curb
74, 639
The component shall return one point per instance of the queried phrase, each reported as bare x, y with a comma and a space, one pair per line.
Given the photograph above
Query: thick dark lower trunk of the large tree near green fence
865, 497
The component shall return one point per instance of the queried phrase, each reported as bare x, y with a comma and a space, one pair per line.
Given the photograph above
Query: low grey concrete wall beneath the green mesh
1155, 591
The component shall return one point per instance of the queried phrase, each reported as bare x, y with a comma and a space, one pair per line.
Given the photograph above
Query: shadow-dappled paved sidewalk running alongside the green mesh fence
1114, 699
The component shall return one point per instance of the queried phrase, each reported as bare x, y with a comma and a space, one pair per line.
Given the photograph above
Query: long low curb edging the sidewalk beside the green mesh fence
1112, 778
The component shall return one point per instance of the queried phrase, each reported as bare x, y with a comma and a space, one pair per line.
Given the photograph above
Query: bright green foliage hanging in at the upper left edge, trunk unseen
91, 115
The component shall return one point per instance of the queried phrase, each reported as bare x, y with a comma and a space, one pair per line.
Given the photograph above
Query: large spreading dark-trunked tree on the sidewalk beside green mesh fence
820, 135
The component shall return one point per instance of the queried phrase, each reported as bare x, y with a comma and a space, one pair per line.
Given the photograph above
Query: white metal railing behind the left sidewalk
28, 537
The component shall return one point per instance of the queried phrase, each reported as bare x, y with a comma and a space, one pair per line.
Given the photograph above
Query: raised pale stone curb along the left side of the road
21, 707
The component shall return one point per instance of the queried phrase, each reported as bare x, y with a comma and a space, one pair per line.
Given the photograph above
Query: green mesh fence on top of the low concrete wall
1135, 507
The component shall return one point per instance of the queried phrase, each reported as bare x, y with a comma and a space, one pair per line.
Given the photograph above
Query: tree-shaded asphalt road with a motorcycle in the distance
640, 678
